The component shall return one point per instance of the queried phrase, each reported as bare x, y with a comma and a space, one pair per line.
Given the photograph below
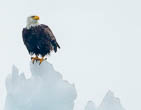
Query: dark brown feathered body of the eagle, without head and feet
39, 40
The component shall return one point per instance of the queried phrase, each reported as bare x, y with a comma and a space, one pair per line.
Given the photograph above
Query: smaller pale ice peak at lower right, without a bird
110, 102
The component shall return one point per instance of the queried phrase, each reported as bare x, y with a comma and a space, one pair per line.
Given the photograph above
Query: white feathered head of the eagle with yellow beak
32, 21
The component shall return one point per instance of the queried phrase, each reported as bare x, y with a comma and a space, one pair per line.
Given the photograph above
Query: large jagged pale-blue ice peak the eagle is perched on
45, 90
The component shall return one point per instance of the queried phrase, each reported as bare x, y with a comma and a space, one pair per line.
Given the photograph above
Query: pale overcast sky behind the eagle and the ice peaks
99, 39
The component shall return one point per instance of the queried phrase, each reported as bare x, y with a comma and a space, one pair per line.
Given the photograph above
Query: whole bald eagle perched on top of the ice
38, 39
